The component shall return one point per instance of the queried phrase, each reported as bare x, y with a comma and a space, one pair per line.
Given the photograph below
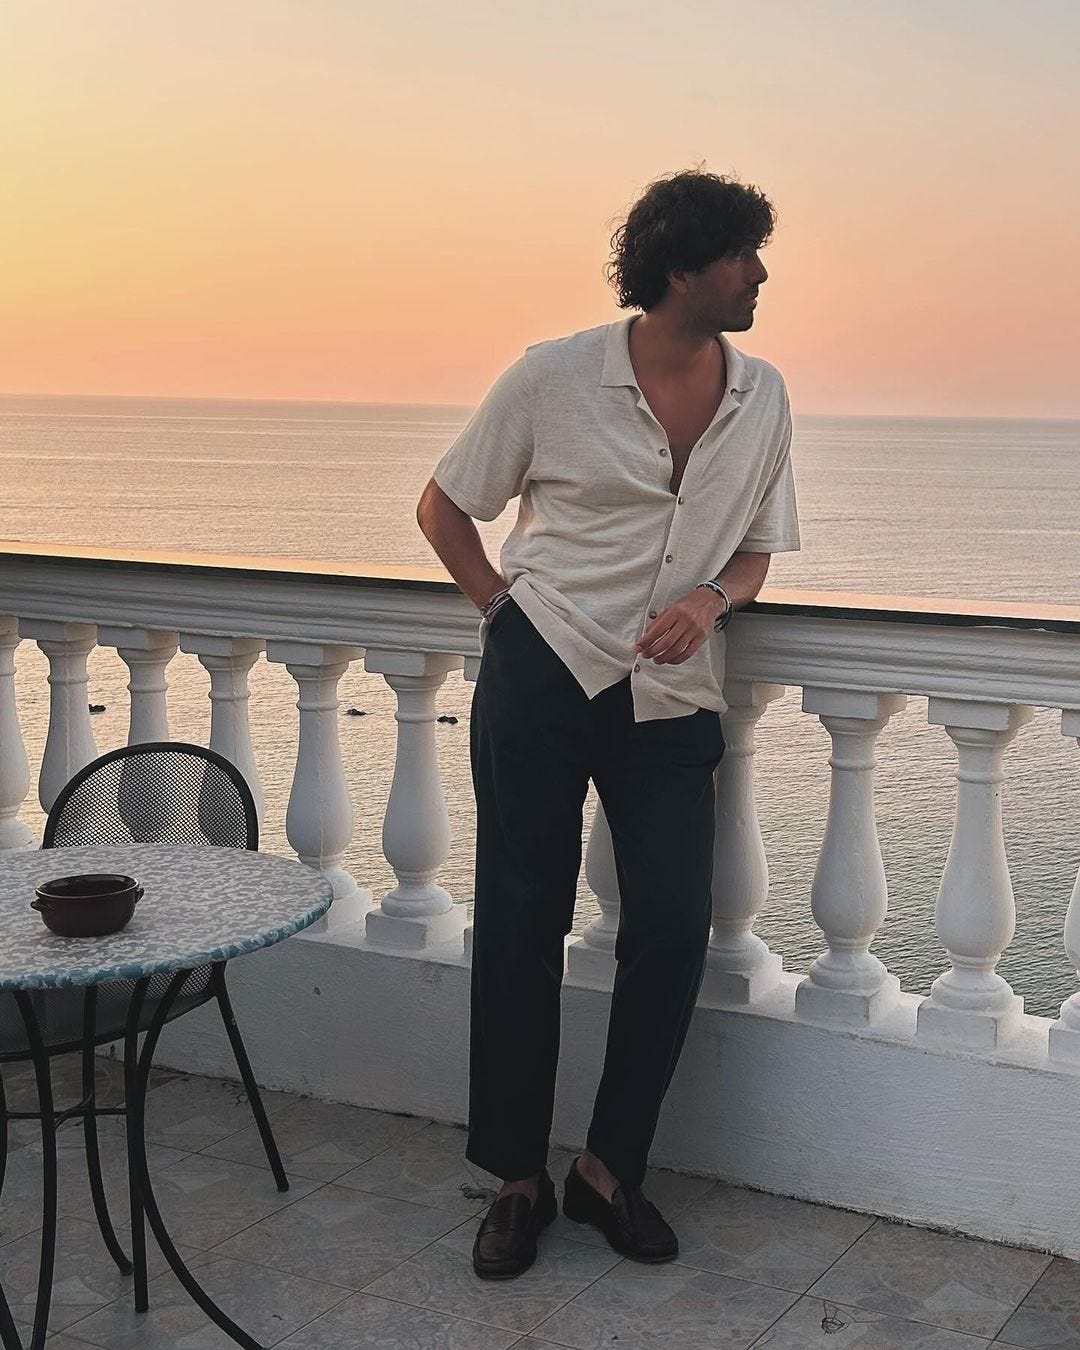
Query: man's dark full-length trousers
537, 740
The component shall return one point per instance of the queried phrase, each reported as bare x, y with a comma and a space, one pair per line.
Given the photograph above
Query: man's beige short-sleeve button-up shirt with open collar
601, 545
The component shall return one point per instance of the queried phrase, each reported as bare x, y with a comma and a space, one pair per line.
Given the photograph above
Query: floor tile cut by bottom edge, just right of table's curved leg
364, 1322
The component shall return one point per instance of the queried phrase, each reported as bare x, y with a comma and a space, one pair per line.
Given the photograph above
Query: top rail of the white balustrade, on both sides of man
927, 646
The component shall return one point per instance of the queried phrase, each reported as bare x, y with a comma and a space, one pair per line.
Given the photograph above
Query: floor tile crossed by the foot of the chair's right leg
322, 1140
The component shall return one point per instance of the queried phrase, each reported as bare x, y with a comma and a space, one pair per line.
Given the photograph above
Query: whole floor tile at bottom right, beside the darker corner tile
950, 1282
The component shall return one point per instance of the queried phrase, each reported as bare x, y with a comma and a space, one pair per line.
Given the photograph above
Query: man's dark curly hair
682, 223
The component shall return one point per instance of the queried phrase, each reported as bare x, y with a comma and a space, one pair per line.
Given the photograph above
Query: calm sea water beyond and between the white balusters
952, 508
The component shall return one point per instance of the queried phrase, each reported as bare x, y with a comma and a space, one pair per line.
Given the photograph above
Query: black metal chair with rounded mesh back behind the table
155, 793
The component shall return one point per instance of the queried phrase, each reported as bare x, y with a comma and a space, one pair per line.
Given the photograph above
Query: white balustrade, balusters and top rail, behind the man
981, 678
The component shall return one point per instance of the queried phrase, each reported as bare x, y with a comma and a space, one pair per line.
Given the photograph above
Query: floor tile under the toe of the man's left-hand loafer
442, 1279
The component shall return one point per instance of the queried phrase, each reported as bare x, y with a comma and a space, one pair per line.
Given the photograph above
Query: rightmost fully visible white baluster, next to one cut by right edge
970, 1005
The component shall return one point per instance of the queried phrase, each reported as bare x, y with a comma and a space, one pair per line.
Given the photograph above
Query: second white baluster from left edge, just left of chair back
70, 745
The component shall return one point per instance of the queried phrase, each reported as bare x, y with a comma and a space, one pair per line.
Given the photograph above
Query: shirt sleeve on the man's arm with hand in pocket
489, 462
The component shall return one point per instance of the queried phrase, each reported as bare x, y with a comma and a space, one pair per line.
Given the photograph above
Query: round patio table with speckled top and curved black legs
202, 907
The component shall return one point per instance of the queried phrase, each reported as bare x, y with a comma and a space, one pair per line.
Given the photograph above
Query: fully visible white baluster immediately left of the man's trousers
418, 913
